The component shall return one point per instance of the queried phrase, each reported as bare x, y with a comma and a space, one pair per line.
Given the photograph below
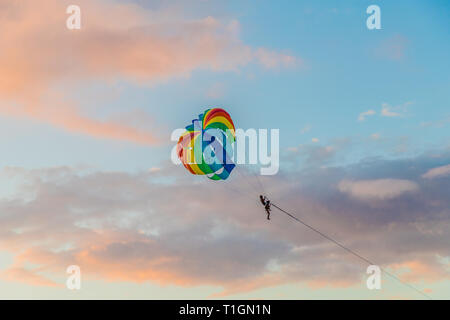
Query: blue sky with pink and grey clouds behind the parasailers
86, 176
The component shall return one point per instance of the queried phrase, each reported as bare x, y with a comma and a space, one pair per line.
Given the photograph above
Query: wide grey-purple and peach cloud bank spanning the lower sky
168, 227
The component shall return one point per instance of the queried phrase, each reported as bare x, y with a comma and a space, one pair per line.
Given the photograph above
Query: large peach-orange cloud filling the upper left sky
117, 42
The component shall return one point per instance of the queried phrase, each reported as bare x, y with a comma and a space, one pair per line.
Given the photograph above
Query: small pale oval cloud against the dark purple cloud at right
381, 189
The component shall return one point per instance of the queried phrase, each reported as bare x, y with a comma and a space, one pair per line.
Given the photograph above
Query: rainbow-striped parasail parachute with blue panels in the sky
206, 148
